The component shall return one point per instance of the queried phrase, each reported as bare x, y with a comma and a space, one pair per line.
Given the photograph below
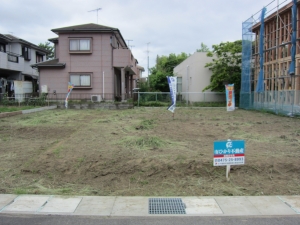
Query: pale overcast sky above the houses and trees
171, 26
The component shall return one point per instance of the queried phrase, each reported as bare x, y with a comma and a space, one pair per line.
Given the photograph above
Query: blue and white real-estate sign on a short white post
227, 153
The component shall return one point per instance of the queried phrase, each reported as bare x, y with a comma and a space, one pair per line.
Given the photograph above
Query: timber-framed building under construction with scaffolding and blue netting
271, 59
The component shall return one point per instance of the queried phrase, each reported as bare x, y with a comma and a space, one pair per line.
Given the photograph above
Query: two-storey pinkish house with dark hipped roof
95, 59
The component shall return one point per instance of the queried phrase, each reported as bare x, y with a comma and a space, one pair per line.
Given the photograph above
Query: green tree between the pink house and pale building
163, 68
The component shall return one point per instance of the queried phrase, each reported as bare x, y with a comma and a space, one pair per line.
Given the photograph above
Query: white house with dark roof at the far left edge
16, 56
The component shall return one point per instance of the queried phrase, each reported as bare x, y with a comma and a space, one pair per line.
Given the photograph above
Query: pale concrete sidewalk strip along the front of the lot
139, 206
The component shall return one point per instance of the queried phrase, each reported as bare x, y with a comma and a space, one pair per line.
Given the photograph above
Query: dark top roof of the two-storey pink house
84, 27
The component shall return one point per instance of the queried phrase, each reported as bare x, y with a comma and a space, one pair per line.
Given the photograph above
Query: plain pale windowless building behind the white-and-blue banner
193, 77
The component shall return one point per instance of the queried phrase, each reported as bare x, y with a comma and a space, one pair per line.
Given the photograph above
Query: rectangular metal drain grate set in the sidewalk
166, 206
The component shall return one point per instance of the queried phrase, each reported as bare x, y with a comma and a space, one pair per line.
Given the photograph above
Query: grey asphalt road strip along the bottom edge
177, 220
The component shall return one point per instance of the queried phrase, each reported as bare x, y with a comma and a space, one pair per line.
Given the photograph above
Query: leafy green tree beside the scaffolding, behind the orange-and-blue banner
226, 68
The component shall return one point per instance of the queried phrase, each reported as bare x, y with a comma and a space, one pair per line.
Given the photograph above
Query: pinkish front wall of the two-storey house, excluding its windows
97, 62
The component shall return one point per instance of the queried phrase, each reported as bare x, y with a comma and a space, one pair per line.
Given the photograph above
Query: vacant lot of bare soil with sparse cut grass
147, 153
